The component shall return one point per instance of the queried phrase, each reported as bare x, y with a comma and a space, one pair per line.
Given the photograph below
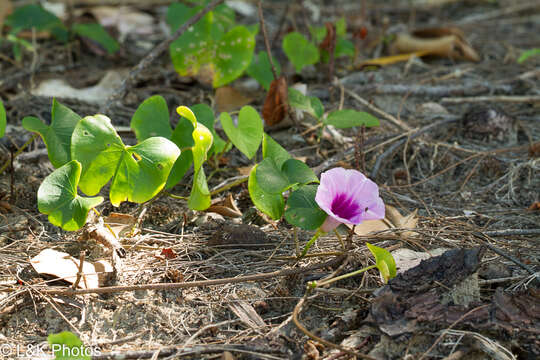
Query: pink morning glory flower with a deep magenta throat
347, 196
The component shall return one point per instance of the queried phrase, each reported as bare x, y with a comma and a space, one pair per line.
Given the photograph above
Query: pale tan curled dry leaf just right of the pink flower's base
393, 219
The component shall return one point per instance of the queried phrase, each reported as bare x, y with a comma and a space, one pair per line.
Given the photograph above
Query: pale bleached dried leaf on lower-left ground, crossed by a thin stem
65, 267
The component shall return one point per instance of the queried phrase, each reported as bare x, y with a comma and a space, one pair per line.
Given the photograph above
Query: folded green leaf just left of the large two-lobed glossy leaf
57, 136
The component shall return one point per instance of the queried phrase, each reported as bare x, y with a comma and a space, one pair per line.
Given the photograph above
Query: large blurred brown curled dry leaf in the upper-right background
445, 42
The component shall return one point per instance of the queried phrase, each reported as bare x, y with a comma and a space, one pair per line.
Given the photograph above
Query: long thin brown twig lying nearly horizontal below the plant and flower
184, 285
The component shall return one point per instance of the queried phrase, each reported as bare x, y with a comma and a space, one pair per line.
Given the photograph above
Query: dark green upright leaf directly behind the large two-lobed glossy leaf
152, 119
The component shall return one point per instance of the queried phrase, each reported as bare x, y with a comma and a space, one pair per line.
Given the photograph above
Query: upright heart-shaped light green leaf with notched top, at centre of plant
248, 135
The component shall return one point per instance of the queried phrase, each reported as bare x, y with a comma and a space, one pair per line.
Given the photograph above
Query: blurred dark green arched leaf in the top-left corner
34, 16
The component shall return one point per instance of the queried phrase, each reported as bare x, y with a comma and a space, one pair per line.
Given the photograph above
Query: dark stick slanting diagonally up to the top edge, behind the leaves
154, 54
